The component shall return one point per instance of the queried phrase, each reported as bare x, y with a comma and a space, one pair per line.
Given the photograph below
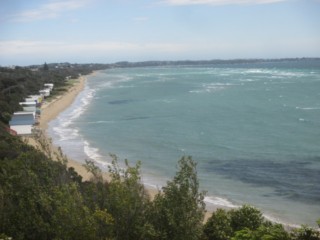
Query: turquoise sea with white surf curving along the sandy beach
253, 128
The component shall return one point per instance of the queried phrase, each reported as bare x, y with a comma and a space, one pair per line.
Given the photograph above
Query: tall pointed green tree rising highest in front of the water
177, 212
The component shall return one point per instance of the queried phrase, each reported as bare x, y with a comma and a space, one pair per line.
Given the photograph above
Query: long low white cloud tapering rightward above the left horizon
20, 52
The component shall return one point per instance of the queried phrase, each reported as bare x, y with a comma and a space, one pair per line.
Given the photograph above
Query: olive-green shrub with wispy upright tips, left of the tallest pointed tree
127, 201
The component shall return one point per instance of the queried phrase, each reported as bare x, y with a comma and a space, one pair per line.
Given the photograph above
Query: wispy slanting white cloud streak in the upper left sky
50, 10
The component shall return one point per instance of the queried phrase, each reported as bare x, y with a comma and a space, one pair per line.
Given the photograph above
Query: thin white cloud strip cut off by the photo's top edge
218, 2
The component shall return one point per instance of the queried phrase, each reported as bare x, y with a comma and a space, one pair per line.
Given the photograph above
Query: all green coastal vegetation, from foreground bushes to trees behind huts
41, 198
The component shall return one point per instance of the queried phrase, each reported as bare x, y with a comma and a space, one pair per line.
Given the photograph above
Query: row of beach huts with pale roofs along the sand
23, 122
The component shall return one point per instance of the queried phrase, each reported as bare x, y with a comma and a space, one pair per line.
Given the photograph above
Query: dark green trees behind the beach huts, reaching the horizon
16, 84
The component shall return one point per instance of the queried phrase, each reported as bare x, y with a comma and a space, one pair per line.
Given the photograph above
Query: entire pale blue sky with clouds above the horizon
108, 31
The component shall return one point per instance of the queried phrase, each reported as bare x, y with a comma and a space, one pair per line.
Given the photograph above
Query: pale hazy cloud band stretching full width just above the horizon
36, 52
